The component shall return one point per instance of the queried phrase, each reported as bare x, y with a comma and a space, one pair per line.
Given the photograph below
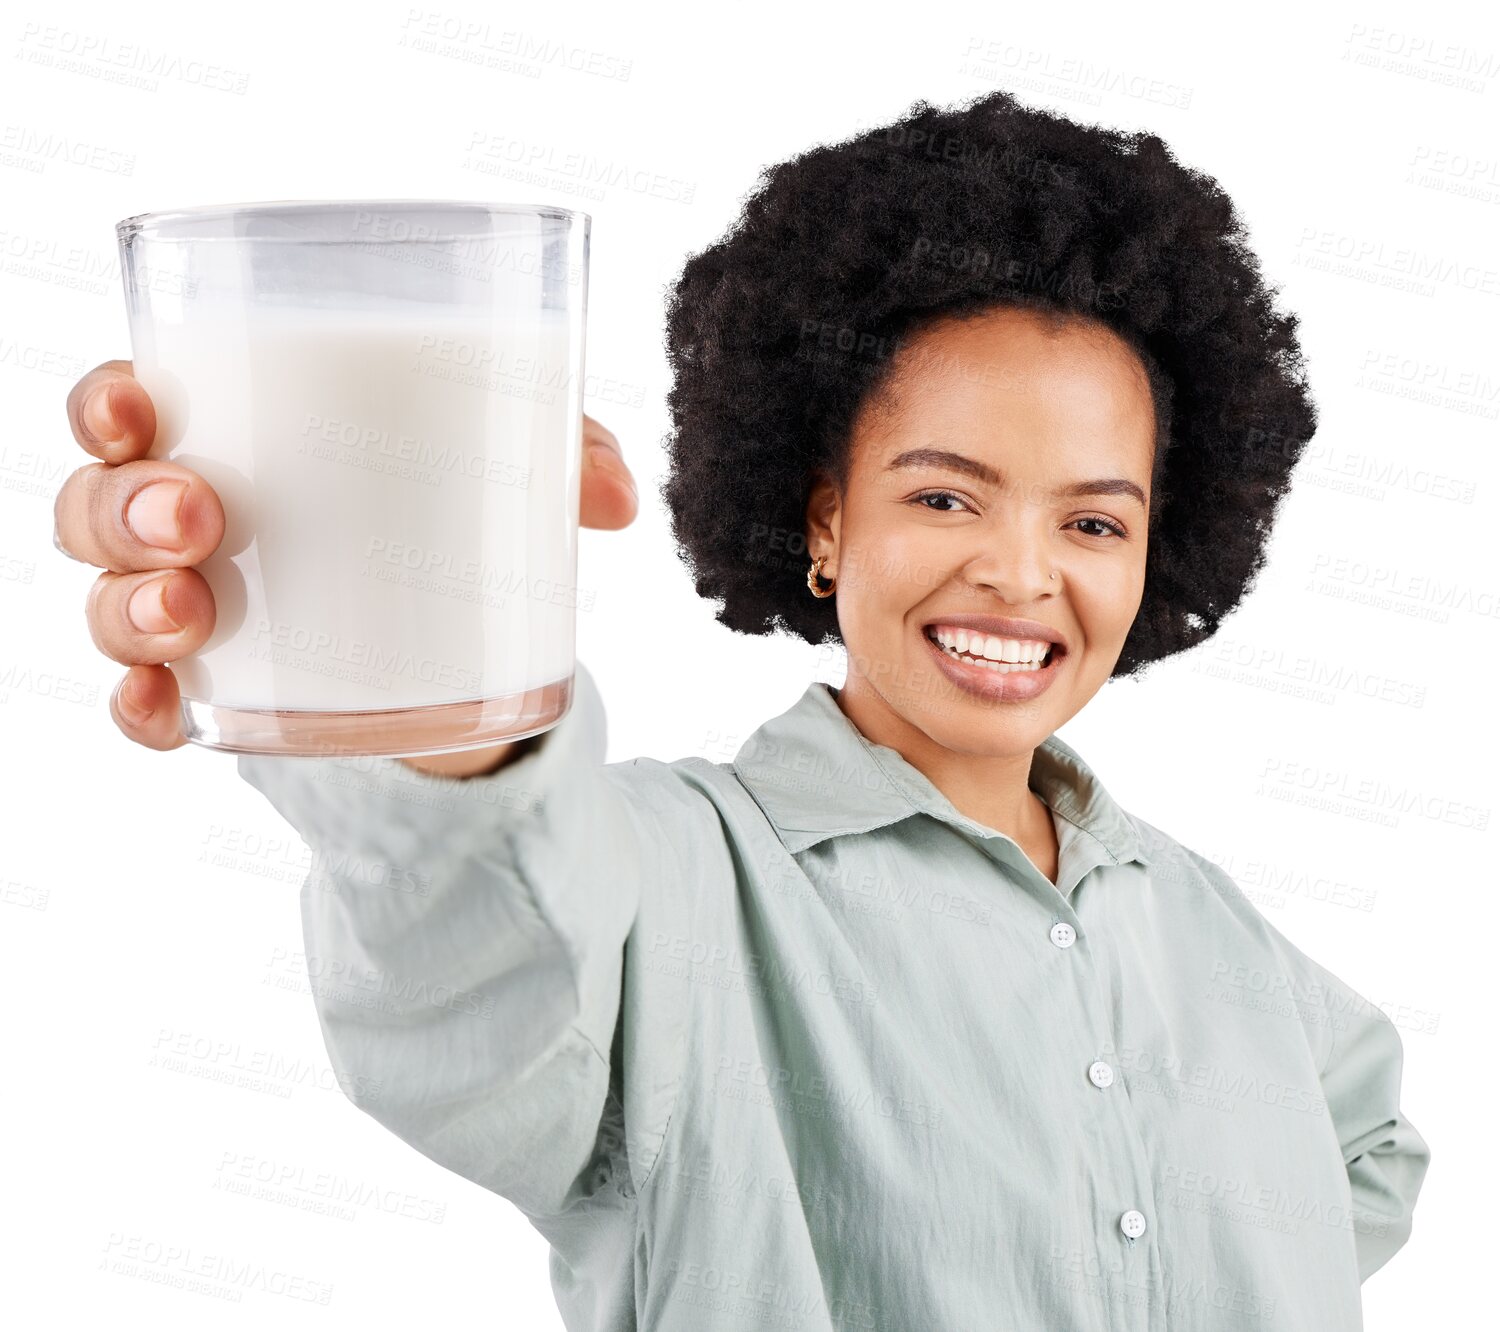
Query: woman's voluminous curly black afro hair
782, 331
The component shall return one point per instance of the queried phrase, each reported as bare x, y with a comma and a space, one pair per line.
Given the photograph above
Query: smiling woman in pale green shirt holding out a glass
896, 1021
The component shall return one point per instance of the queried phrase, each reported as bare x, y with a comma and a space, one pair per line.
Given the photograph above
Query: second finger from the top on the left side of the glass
140, 515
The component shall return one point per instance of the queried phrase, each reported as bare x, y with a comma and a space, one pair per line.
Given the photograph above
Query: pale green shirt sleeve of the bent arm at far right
1385, 1156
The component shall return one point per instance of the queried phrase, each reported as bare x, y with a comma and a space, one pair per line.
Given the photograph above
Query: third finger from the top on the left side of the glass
151, 619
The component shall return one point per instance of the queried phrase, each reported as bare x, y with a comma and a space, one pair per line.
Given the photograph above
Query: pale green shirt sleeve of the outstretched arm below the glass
464, 940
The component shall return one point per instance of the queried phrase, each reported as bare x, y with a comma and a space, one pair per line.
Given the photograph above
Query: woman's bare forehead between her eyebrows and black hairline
1018, 389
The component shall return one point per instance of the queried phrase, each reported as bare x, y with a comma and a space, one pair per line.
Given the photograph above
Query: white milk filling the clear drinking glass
401, 514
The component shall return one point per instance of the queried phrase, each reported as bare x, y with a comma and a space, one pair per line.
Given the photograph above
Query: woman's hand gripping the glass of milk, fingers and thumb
148, 523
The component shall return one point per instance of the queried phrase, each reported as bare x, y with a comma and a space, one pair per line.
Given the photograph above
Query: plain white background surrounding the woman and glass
1336, 743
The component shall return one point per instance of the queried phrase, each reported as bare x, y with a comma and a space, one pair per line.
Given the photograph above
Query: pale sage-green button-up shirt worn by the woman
790, 1042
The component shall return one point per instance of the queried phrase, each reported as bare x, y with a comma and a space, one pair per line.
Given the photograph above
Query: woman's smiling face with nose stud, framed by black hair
1009, 478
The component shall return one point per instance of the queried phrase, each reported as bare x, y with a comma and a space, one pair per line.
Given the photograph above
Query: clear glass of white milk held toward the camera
388, 398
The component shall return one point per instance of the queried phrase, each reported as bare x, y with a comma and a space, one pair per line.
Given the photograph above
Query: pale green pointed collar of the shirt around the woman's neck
818, 776
